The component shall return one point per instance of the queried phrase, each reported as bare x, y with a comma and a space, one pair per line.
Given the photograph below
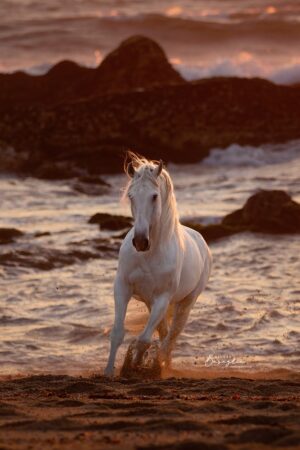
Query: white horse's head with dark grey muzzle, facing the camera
146, 203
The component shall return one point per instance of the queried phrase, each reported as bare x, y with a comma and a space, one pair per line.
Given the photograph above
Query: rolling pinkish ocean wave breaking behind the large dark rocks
191, 40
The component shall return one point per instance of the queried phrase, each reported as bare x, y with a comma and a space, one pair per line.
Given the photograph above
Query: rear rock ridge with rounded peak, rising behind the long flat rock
138, 63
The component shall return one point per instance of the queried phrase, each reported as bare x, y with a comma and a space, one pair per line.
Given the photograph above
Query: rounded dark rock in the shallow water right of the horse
267, 211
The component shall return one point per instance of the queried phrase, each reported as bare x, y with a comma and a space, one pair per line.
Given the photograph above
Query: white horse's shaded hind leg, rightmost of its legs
180, 316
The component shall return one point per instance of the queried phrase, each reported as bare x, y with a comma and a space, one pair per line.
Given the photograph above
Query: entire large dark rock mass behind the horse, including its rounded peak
77, 119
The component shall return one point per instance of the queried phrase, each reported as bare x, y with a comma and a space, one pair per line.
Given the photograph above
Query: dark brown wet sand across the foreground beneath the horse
65, 412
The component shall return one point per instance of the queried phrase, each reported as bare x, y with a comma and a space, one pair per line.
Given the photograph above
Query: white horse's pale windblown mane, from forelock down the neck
145, 168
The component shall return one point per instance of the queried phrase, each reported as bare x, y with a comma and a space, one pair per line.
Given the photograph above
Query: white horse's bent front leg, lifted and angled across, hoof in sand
157, 314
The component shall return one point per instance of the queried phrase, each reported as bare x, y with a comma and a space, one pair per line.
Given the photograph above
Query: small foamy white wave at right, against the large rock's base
237, 155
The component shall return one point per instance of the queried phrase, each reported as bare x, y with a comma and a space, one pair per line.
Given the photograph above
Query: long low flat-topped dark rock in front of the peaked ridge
175, 123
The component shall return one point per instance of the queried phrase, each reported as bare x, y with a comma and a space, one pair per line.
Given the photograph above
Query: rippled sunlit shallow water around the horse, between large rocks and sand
59, 320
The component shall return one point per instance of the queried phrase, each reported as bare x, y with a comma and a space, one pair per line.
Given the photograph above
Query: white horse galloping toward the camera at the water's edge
161, 262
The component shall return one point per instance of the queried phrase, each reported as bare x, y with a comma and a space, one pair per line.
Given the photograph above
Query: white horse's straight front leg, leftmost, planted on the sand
122, 294
